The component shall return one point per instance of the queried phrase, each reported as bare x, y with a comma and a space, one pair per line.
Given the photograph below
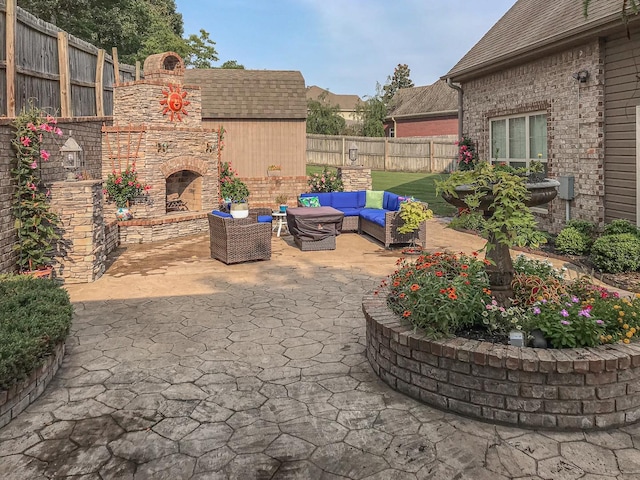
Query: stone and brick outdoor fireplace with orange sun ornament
157, 126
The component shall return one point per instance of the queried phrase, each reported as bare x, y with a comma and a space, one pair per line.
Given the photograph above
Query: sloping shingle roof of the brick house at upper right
534, 27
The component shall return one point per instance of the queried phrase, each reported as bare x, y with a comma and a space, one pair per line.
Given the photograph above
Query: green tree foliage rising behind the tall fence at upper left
137, 28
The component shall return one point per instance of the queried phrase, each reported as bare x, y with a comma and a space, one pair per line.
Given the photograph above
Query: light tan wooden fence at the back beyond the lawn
415, 154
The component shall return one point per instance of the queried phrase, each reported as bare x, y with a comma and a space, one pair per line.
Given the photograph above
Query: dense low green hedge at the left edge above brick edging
35, 315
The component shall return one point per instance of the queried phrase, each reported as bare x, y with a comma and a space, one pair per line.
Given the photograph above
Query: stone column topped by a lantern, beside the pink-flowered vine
81, 254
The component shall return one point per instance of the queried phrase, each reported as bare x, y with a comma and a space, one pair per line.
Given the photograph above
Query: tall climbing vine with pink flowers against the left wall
35, 222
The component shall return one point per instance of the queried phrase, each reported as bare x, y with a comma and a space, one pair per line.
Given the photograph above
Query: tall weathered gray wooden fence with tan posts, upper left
57, 71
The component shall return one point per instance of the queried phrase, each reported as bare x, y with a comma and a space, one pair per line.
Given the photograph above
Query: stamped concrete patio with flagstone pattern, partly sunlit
180, 367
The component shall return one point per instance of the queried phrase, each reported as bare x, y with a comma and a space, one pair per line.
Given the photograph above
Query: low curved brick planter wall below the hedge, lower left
23, 394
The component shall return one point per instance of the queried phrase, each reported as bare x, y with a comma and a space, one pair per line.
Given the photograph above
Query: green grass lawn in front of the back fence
419, 185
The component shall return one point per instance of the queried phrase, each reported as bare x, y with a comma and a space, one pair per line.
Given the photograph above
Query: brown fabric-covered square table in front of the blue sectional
315, 228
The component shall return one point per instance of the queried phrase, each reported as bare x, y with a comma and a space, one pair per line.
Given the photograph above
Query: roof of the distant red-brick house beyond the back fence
437, 98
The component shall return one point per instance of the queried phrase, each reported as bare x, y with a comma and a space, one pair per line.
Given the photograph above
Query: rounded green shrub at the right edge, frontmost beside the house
616, 253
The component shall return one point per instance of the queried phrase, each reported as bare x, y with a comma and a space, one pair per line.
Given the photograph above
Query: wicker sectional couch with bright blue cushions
380, 223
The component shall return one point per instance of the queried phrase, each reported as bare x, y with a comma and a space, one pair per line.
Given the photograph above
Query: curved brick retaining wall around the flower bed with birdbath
583, 388
